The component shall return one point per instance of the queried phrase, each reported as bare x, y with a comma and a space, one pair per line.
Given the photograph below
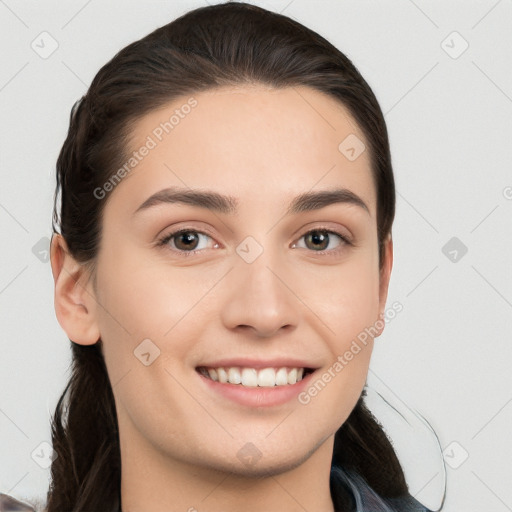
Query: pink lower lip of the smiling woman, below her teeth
257, 396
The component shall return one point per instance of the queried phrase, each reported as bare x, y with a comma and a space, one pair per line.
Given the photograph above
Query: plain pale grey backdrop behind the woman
442, 74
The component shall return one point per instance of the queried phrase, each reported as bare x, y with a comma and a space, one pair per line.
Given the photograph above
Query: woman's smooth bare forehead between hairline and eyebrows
250, 142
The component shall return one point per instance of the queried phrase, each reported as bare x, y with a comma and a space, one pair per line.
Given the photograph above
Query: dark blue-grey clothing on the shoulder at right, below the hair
365, 499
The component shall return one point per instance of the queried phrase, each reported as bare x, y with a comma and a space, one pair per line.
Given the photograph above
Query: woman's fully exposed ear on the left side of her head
75, 301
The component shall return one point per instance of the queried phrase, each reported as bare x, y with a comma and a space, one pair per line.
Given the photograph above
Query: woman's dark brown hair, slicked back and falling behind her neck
226, 44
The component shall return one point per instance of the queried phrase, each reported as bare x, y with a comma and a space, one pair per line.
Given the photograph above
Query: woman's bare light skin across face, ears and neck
179, 441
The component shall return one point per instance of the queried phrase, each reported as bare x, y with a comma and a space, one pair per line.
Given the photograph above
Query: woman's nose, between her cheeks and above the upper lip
260, 298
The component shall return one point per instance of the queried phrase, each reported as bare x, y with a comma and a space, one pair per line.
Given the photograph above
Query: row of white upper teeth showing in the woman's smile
251, 377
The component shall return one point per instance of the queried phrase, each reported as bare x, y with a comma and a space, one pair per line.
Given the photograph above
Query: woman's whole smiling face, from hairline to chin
258, 286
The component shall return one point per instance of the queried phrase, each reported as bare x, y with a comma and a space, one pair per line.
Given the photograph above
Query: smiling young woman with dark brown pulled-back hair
227, 198
